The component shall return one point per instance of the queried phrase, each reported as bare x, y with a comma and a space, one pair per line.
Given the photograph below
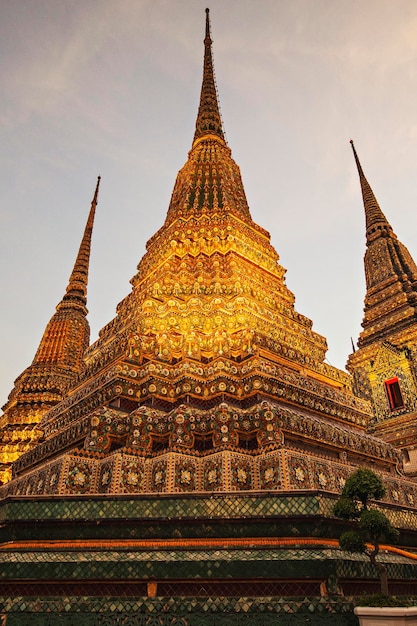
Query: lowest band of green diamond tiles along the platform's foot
243, 611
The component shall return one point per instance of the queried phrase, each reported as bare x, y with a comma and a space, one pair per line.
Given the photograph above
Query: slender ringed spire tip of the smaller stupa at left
77, 285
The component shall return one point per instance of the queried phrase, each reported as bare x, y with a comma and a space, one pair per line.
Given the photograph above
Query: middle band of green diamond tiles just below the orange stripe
189, 564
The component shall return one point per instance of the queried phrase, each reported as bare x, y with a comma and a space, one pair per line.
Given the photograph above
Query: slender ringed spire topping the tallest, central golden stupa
209, 120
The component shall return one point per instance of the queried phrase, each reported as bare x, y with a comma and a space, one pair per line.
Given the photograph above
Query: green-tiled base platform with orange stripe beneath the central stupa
187, 560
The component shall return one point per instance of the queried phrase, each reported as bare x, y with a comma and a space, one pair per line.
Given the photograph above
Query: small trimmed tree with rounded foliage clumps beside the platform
372, 526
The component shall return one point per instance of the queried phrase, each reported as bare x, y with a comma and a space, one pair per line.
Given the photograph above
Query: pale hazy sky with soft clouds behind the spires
111, 87
